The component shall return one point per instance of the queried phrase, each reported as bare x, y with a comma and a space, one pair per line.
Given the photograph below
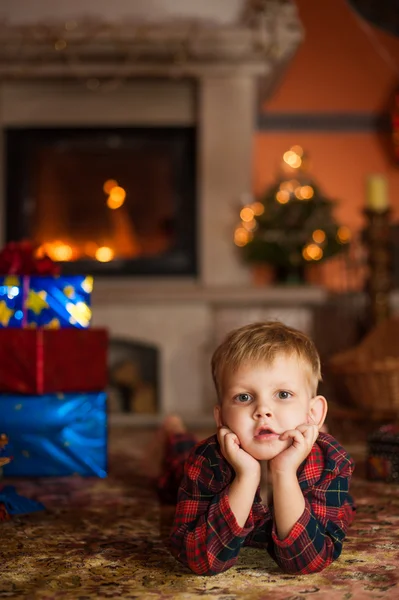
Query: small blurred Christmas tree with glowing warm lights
291, 224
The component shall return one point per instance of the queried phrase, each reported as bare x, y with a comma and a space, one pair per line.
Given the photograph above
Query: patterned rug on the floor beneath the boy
105, 539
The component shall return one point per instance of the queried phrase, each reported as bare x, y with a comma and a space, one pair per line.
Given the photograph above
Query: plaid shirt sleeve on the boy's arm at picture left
205, 535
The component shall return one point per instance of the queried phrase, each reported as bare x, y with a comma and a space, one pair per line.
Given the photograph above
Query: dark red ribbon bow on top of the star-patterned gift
20, 258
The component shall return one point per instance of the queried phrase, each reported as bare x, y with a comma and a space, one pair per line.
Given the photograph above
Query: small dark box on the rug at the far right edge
383, 454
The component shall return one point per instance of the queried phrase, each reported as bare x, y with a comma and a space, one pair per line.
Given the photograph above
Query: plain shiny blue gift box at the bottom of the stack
56, 434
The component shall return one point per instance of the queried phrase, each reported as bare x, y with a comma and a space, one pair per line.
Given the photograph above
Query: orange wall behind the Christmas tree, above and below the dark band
336, 69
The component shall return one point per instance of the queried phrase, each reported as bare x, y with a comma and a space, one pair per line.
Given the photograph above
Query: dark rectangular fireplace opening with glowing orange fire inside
109, 201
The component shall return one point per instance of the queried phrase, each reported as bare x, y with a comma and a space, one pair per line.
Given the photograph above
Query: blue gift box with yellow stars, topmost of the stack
49, 301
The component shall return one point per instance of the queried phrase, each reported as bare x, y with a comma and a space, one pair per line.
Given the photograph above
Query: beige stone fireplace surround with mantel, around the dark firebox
200, 73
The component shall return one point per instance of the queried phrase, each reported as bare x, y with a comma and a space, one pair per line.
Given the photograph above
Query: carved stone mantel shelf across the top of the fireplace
260, 42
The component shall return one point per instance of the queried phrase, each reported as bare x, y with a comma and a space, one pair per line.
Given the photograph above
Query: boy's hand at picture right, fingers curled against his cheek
288, 461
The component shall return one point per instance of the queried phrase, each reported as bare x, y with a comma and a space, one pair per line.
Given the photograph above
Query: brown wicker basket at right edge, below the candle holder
370, 371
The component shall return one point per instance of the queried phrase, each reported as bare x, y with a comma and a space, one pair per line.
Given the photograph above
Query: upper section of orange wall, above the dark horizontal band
337, 67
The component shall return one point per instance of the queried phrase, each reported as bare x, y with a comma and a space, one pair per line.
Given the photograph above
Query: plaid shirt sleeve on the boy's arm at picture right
317, 537
